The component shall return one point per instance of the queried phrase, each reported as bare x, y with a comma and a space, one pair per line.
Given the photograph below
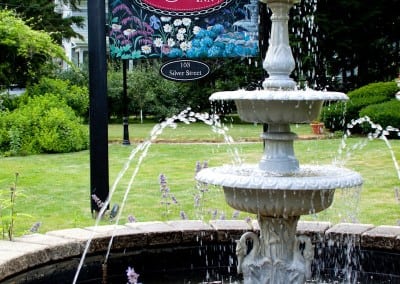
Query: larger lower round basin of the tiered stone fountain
310, 190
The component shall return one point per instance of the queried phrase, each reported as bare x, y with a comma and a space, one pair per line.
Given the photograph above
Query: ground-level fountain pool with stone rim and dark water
149, 246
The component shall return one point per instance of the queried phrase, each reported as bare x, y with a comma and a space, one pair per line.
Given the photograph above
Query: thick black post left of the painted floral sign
98, 108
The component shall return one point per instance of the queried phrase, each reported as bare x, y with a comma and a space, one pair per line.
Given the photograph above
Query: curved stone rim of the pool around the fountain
33, 250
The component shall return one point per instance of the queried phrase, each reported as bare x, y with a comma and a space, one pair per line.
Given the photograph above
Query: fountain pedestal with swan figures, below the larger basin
280, 255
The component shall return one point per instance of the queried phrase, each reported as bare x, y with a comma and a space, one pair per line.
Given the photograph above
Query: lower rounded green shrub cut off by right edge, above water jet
385, 114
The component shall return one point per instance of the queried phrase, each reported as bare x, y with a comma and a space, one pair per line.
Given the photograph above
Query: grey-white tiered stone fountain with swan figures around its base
278, 189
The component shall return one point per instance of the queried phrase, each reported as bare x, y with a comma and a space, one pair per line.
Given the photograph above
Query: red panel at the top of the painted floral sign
183, 5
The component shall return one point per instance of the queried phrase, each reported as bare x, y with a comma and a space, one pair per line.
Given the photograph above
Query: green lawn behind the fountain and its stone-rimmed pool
56, 187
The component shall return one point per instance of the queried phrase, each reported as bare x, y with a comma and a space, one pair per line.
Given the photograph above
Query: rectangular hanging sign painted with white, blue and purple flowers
141, 29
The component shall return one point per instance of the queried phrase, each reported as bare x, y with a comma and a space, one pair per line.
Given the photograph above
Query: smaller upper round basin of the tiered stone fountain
278, 106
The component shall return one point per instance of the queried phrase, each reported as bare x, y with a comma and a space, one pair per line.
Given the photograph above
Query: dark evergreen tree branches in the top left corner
41, 16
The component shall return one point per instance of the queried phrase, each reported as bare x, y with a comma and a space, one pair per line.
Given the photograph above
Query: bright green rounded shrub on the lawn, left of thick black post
44, 124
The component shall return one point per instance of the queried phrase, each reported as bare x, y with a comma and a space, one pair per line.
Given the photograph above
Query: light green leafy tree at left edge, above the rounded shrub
25, 54
